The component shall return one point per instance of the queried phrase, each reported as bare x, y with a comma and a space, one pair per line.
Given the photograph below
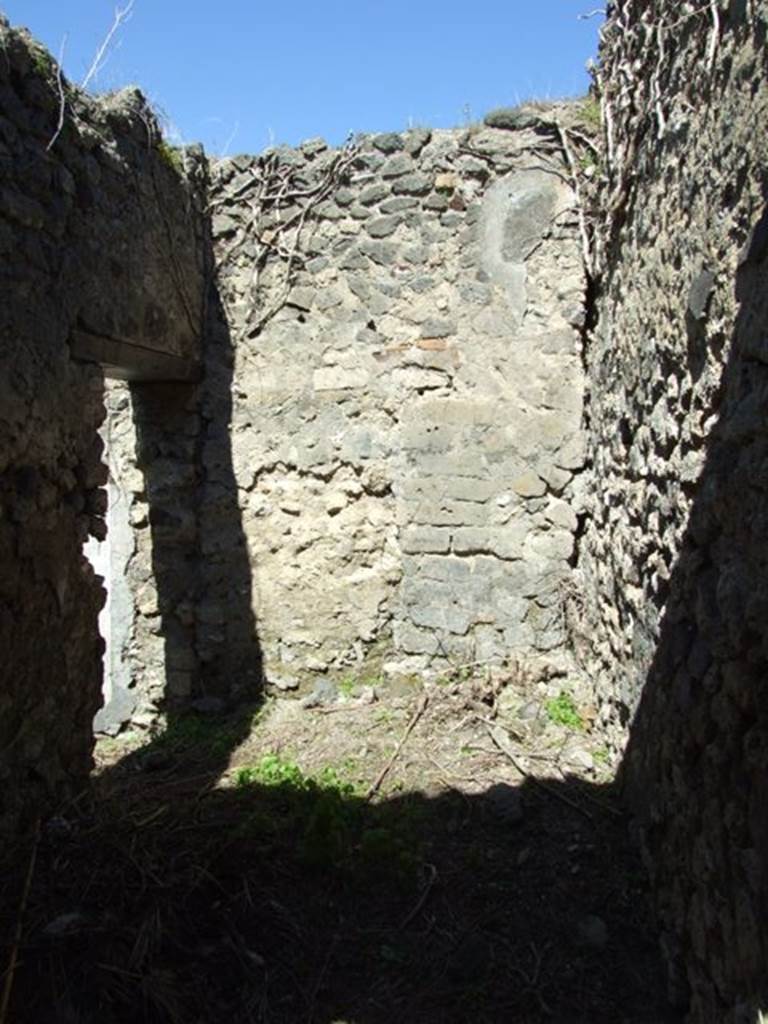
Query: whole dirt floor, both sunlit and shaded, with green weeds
442, 852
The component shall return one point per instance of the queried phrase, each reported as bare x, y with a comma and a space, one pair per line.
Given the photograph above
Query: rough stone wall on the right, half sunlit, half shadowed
674, 558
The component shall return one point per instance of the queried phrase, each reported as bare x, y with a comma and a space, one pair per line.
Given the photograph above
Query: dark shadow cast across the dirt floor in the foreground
172, 895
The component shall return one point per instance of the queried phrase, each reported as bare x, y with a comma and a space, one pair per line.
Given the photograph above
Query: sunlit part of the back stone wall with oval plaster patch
405, 323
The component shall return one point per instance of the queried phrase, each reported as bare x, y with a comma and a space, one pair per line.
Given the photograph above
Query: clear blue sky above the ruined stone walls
241, 75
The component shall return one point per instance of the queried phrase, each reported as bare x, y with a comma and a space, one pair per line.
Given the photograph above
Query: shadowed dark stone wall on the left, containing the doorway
100, 248
